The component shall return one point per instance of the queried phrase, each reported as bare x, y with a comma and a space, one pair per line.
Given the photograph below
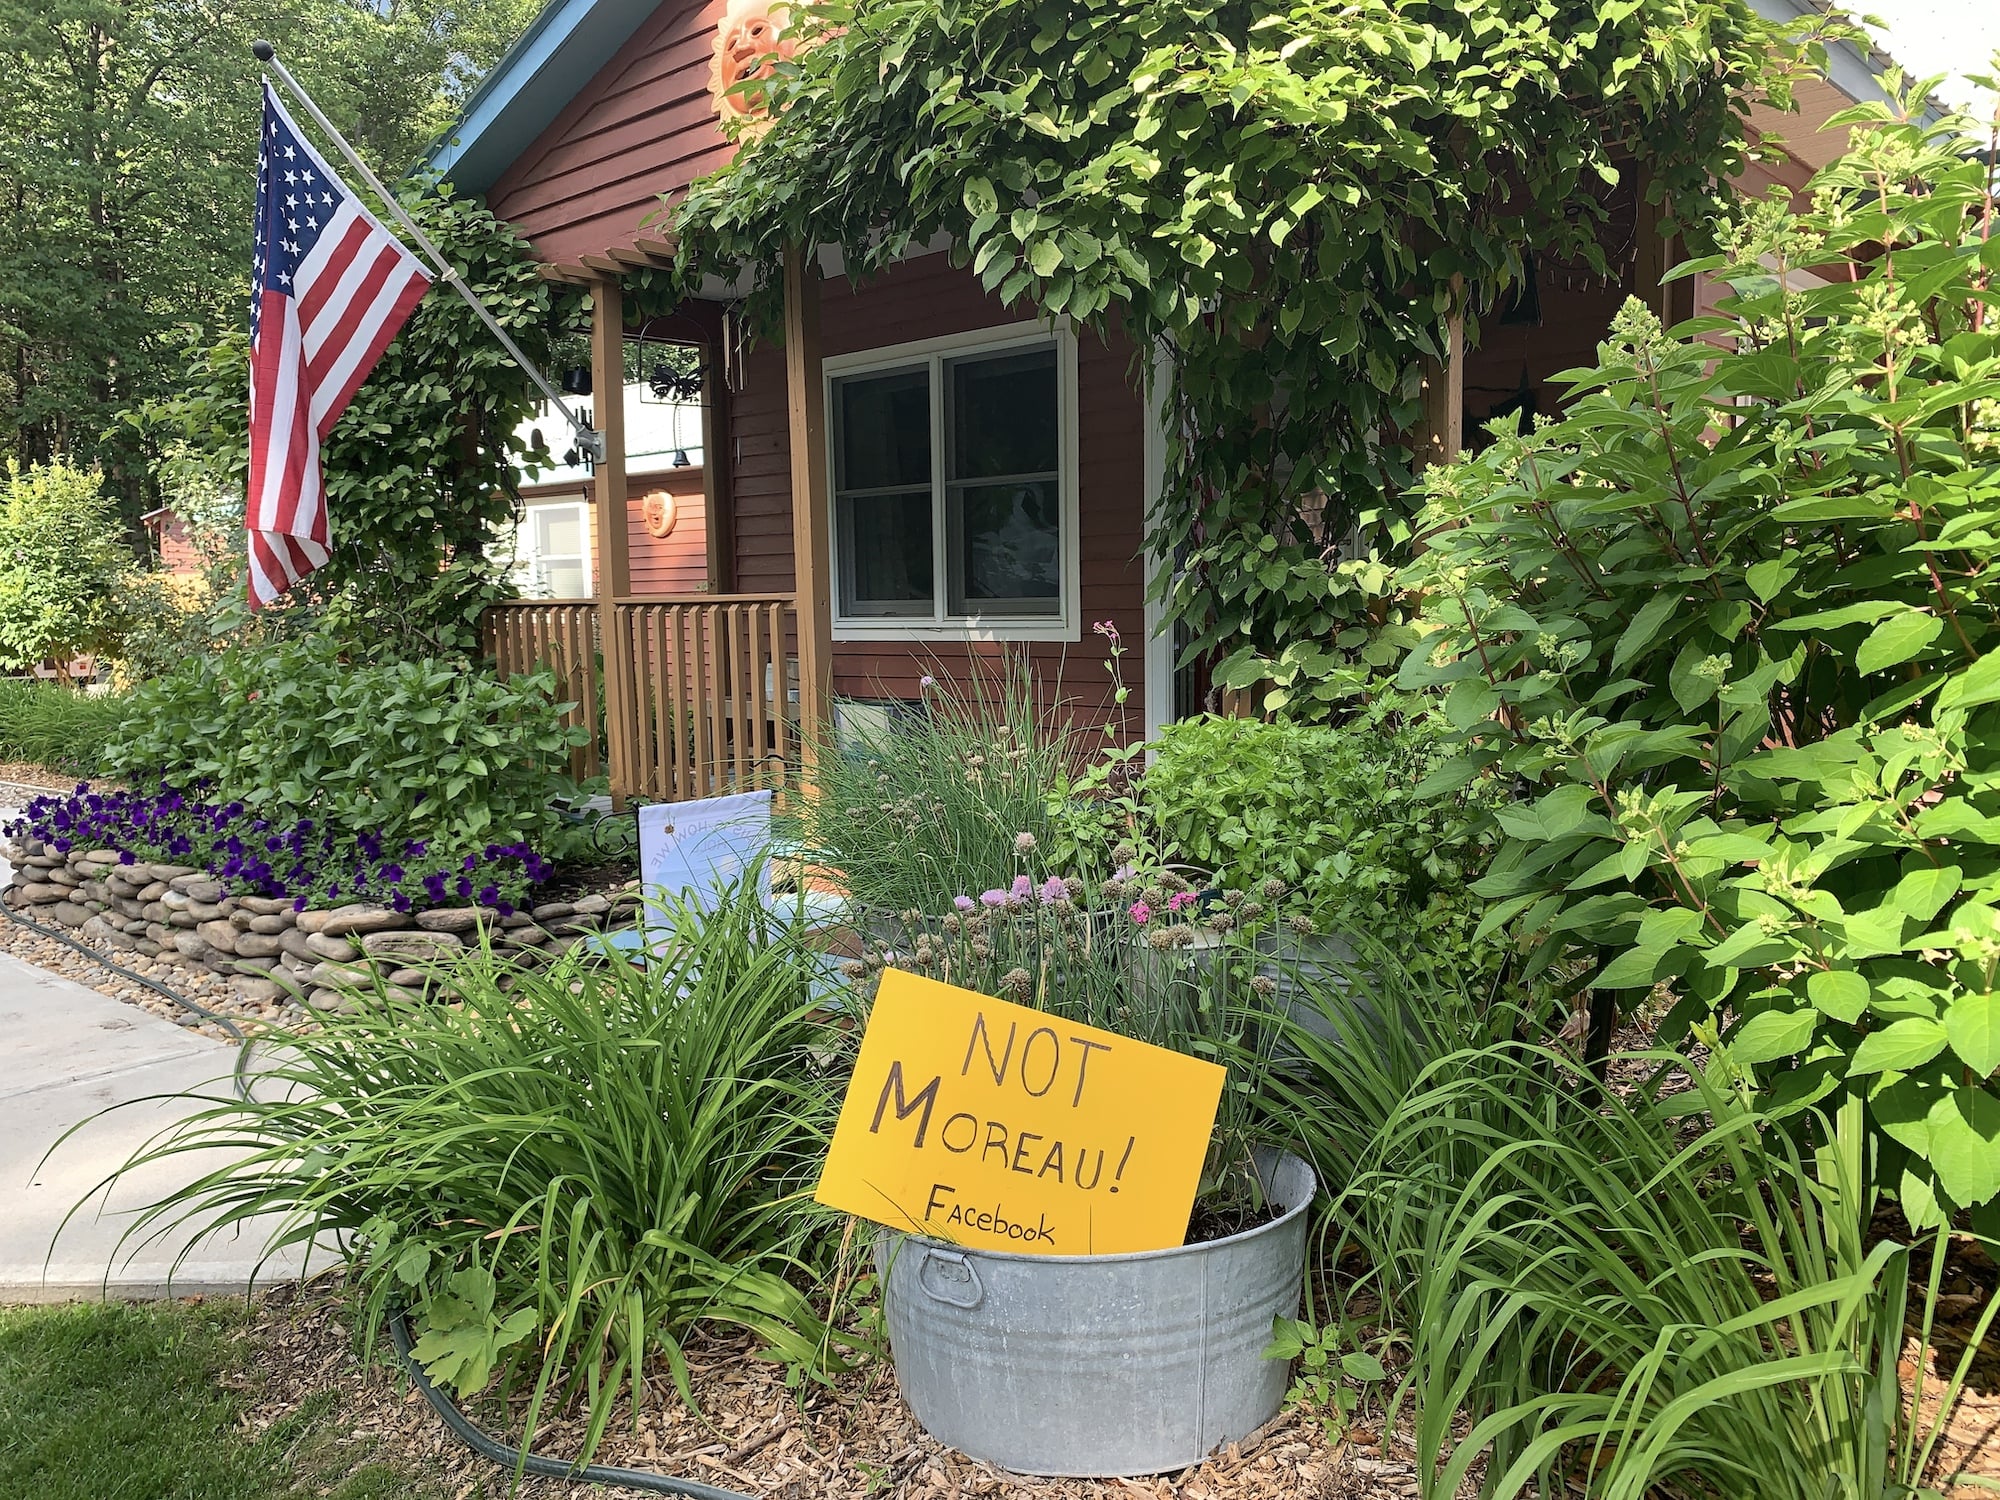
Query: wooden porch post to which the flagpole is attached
611, 529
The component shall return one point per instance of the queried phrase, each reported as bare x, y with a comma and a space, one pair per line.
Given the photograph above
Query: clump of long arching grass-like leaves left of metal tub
563, 1175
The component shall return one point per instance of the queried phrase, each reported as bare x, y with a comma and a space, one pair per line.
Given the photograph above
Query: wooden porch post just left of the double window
811, 549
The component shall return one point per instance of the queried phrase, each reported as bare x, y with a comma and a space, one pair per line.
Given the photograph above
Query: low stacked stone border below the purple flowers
271, 953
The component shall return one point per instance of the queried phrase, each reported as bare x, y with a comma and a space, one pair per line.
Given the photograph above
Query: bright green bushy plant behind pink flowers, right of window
1333, 813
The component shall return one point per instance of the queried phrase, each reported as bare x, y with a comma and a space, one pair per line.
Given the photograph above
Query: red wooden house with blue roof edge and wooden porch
917, 473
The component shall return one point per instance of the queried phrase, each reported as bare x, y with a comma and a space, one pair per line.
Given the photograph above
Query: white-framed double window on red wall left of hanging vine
955, 489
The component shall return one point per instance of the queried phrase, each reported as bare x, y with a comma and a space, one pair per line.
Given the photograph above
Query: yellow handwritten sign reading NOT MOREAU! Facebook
991, 1125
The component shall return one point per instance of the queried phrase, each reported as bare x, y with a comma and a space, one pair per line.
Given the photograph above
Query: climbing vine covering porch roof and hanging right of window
1281, 195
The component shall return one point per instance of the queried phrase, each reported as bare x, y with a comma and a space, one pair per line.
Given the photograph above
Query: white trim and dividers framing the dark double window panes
933, 353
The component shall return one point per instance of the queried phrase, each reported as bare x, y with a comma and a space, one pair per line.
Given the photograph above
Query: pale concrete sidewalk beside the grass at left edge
67, 1055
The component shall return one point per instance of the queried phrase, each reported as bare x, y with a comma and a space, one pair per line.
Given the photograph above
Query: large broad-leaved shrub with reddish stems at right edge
1731, 629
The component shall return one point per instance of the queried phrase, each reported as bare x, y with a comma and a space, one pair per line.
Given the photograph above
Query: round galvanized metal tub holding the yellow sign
1097, 1367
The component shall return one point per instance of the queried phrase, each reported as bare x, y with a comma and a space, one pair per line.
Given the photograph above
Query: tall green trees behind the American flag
125, 191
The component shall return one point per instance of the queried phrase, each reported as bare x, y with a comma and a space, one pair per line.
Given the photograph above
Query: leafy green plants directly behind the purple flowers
405, 751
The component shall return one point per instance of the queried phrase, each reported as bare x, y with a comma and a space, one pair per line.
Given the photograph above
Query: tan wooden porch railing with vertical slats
709, 685
